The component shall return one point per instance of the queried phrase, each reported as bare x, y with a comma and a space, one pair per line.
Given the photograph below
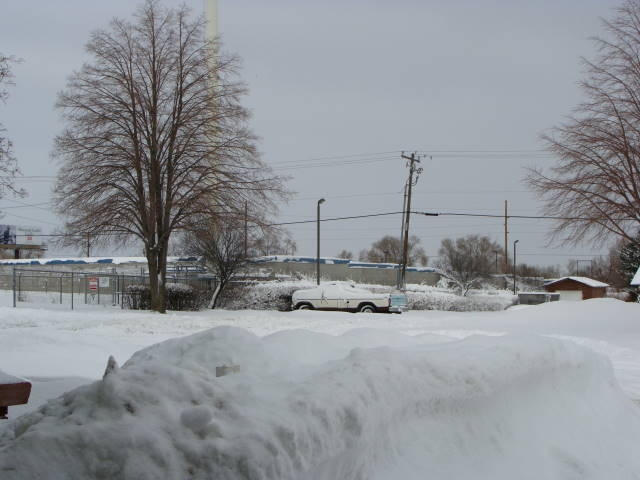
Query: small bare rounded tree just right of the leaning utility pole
466, 260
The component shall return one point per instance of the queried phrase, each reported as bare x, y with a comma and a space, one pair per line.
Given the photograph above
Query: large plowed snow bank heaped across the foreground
313, 406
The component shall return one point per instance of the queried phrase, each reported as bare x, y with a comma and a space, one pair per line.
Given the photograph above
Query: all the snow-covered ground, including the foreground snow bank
531, 392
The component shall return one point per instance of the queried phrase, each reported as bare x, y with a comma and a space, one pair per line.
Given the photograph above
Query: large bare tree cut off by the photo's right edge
594, 189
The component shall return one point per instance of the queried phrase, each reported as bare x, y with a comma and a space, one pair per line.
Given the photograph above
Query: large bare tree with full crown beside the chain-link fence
155, 137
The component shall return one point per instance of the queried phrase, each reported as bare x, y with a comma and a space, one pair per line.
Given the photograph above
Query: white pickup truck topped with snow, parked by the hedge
337, 296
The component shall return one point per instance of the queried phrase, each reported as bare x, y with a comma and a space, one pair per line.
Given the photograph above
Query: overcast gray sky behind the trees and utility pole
338, 89
